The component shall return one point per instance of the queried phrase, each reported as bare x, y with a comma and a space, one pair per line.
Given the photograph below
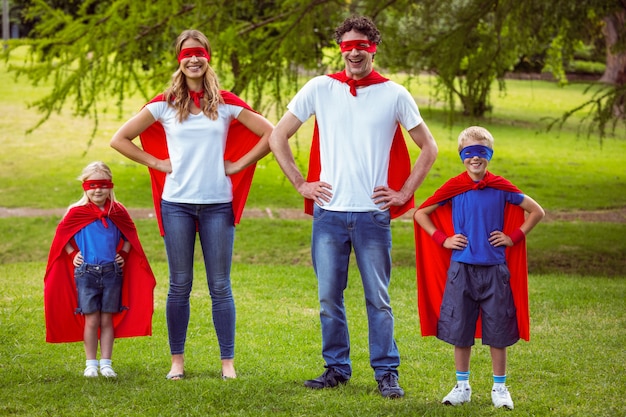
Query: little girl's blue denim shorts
99, 288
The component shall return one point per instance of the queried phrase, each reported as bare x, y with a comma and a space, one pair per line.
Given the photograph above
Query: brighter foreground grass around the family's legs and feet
574, 365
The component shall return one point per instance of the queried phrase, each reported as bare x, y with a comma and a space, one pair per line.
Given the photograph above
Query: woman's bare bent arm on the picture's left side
122, 141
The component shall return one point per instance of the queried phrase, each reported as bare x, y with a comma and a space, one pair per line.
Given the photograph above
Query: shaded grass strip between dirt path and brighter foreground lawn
557, 247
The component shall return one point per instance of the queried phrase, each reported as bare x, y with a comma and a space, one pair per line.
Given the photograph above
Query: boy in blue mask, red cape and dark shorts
475, 223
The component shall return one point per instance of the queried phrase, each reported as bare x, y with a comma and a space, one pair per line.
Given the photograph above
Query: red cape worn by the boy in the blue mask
432, 260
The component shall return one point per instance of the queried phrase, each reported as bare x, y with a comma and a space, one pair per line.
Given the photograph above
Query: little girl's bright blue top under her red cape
98, 244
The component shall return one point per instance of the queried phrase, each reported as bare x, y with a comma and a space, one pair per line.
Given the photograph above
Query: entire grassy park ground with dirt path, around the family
574, 364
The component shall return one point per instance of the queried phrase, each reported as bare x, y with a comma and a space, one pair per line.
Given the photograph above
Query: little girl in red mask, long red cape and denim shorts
98, 240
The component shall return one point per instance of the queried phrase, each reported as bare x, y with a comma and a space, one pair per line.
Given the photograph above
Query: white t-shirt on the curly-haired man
355, 135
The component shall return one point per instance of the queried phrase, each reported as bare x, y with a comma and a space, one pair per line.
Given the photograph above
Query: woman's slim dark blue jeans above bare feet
215, 225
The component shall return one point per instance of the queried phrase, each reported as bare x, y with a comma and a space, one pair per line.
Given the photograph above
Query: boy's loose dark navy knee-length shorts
474, 289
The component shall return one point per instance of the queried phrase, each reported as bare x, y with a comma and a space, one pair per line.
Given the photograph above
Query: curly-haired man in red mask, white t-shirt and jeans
359, 178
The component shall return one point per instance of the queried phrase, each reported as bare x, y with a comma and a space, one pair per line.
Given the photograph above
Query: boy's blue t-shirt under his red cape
475, 214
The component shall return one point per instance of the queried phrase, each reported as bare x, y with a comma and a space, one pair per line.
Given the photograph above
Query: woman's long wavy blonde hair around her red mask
178, 87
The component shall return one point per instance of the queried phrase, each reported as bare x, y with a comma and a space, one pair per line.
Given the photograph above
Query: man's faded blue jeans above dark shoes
334, 236
